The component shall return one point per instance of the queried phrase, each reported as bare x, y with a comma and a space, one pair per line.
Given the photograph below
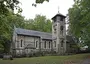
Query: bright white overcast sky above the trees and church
49, 9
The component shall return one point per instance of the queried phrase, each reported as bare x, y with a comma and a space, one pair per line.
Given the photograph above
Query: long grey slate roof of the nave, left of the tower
43, 35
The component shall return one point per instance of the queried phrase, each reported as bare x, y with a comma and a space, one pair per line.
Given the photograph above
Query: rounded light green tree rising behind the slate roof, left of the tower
39, 23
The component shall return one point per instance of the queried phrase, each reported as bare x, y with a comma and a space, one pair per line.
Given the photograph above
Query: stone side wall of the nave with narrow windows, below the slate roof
36, 42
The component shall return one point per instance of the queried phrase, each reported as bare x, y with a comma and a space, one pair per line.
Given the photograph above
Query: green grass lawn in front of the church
71, 59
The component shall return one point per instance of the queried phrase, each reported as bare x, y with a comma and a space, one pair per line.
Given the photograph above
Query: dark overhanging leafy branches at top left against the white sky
6, 5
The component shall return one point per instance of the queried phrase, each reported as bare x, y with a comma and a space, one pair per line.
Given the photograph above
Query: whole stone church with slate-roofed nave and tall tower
30, 41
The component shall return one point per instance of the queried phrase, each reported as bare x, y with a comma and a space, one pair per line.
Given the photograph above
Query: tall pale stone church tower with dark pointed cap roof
59, 33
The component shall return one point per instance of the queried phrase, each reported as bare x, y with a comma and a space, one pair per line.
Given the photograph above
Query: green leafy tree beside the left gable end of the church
6, 28
